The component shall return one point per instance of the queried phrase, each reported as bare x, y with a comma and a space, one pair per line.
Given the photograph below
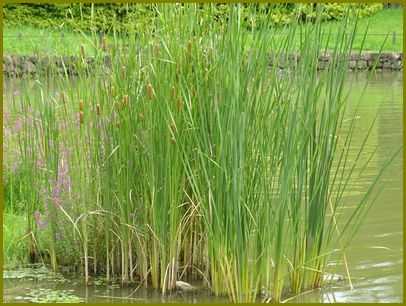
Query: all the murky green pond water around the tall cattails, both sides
375, 257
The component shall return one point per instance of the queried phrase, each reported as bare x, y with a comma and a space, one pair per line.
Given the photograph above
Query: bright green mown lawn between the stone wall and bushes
27, 40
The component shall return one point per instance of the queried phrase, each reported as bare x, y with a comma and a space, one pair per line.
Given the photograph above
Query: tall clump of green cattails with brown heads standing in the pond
193, 159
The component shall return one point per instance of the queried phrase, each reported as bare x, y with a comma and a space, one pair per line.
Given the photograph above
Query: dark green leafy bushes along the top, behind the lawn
135, 17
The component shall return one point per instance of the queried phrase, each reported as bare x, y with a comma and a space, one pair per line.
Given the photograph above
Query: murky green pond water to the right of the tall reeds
376, 255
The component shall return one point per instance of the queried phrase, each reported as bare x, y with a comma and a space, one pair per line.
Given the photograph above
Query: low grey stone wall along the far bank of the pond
15, 65
